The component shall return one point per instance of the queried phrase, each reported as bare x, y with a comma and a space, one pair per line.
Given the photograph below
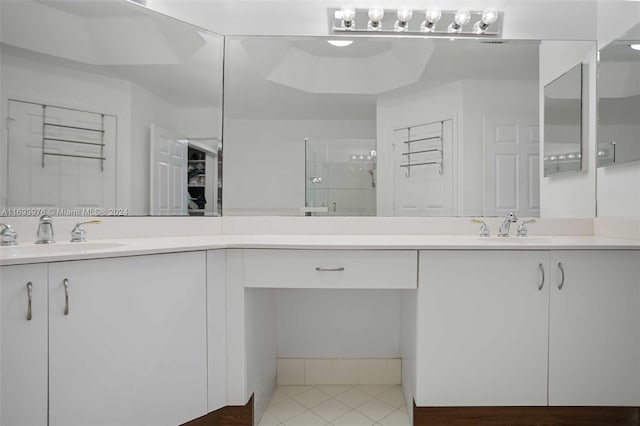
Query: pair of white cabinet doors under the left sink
124, 342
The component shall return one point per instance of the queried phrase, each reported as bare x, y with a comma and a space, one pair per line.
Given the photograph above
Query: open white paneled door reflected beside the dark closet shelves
168, 180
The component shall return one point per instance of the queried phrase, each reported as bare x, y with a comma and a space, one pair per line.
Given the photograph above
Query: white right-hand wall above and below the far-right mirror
618, 192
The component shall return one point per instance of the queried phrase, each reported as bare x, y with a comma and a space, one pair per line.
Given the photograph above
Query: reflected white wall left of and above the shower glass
259, 183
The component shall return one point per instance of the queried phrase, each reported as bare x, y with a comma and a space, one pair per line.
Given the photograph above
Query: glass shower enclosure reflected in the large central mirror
340, 177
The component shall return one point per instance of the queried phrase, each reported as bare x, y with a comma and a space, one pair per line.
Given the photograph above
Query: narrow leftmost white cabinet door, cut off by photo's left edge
23, 361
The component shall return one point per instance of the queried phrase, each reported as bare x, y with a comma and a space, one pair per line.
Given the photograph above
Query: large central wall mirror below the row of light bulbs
381, 126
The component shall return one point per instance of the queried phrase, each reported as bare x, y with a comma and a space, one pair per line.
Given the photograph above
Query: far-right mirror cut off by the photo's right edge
619, 100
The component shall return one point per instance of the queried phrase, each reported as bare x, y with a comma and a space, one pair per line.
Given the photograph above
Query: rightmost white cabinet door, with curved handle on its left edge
594, 331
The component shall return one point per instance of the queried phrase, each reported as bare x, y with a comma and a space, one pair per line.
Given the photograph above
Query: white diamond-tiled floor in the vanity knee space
336, 405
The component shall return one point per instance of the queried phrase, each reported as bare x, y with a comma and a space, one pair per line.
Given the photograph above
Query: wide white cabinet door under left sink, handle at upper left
132, 348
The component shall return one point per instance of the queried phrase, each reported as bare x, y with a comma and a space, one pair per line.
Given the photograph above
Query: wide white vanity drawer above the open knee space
346, 269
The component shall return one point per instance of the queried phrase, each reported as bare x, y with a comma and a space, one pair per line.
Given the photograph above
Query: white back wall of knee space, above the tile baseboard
338, 323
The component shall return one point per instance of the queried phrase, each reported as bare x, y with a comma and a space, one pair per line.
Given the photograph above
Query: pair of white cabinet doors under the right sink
489, 335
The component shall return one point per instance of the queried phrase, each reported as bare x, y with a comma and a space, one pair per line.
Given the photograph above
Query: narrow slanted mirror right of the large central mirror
563, 123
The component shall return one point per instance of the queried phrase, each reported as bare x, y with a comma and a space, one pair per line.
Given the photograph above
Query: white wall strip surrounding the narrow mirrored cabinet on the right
570, 195
